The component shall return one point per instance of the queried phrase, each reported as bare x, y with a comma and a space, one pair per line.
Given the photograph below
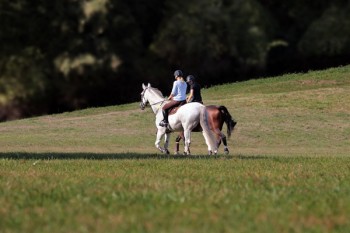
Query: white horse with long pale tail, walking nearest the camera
185, 119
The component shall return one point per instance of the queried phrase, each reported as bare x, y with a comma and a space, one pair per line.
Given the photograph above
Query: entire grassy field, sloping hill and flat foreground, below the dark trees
97, 170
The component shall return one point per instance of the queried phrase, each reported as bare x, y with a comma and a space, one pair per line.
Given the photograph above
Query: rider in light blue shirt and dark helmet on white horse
177, 96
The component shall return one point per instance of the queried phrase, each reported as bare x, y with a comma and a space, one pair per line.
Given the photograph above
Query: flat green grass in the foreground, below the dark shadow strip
165, 194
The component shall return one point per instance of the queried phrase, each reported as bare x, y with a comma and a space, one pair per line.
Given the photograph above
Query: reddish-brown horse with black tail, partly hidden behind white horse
217, 116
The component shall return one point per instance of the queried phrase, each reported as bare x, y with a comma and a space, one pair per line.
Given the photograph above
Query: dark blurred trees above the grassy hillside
62, 55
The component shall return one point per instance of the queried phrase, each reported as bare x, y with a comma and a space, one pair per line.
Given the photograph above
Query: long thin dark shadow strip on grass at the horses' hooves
111, 156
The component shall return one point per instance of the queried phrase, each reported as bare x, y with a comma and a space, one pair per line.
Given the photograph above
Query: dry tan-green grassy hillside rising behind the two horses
294, 114
